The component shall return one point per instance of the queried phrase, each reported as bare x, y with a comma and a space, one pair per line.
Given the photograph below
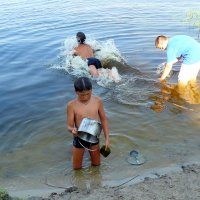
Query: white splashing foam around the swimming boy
76, 66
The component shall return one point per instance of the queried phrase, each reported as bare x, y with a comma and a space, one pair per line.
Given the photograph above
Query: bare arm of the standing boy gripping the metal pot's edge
71, 119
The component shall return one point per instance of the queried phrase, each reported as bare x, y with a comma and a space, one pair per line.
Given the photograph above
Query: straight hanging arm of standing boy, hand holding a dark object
104, 123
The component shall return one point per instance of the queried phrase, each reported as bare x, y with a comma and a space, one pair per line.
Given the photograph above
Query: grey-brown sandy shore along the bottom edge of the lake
183, 183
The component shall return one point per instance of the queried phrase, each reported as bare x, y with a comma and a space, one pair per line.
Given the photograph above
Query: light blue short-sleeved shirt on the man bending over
184, 47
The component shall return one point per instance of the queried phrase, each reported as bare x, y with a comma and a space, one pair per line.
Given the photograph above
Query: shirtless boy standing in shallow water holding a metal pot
85, 106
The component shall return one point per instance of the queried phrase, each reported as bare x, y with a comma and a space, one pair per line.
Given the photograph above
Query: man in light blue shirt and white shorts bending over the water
180, 48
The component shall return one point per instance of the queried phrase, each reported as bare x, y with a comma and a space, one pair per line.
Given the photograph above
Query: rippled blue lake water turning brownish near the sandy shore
36, 84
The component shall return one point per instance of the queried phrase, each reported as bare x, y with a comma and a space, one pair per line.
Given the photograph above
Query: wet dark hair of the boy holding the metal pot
81, 84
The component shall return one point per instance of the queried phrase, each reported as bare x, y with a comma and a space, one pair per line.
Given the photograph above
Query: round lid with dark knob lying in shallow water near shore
136, 158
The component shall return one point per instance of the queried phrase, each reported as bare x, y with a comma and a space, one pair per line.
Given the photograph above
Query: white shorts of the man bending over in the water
188, 72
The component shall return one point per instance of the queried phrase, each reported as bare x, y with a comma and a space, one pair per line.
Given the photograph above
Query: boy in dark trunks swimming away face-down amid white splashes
86, 52
